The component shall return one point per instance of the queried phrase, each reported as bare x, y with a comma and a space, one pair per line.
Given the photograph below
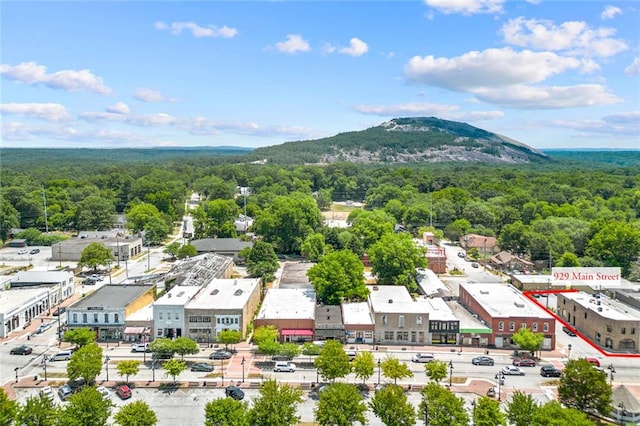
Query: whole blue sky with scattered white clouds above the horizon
551, 74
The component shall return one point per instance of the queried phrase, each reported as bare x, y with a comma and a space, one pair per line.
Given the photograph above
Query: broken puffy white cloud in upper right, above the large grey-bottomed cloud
573, 37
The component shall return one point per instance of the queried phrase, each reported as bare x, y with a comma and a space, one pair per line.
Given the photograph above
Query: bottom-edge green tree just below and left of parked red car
86, 408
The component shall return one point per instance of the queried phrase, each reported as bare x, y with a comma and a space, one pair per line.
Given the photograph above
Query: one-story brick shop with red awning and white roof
291, 311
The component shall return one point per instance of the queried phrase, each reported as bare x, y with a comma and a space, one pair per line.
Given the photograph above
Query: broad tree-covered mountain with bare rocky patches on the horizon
406, 140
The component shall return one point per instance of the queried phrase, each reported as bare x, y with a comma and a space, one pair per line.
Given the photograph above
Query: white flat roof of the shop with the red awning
288, 303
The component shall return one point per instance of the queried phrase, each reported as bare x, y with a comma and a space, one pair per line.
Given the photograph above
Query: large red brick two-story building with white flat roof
504, 309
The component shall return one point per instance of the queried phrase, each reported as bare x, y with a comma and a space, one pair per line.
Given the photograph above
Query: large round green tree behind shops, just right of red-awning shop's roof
339, 277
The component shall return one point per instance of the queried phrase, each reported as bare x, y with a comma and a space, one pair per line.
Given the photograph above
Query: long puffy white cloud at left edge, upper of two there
32, 73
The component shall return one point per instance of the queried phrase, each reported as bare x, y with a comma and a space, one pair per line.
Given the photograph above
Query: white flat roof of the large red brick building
504, 300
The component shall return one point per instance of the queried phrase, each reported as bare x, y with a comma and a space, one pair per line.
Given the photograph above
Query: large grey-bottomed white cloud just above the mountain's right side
490, 68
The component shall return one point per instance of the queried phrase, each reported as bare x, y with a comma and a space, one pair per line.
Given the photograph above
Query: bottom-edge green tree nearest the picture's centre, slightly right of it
340, 404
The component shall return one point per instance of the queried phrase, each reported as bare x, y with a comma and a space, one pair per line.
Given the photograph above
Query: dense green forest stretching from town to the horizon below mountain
575, 209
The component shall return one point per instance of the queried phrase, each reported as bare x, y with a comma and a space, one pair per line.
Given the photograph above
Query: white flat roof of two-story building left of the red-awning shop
225, 294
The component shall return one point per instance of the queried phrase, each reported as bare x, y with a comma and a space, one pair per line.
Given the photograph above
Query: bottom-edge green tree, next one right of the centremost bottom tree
391, 406
